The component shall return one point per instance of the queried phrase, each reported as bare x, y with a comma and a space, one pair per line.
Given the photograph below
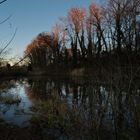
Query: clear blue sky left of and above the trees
32, 17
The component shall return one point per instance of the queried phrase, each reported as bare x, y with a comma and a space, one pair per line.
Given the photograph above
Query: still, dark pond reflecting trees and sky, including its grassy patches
85, 109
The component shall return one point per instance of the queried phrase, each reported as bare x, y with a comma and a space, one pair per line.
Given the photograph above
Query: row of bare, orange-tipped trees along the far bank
86, 34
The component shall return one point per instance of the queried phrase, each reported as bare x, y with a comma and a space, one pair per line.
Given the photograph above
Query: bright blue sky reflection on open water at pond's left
17, 113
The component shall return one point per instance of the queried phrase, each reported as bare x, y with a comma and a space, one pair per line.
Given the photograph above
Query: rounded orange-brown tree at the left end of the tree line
39, 51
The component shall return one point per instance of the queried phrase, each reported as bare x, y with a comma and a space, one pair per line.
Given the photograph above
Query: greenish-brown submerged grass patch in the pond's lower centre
55, 117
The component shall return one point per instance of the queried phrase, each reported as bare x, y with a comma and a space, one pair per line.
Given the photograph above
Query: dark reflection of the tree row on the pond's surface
104, 110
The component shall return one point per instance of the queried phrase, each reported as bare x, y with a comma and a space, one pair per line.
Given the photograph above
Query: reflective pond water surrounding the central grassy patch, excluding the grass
109, 110
